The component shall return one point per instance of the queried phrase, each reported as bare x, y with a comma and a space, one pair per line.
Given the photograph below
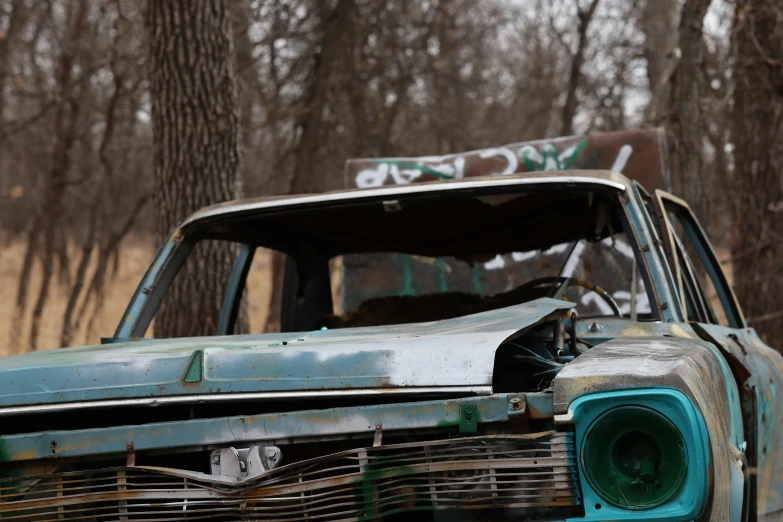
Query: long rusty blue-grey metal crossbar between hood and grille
275, 428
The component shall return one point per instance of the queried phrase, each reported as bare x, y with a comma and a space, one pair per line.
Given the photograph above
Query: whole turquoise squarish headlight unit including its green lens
640, 451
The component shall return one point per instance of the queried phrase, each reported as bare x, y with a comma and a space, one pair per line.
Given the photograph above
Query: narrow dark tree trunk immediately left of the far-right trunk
689, 177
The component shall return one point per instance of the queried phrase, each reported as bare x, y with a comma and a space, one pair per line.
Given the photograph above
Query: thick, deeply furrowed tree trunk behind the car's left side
196, 137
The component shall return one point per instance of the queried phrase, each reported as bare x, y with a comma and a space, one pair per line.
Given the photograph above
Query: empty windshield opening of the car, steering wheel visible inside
419, 259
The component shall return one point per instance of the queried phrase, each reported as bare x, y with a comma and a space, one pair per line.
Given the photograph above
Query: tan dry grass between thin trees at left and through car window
135, 257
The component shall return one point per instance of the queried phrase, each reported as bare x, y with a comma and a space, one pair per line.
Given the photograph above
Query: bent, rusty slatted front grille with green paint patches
517, 475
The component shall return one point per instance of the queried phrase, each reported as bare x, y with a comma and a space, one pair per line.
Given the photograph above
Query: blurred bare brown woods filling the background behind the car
118, 119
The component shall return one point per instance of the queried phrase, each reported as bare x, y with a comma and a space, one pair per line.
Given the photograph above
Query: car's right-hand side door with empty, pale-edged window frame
708, 303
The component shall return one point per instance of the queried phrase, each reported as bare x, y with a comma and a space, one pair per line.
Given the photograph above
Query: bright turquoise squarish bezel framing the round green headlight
690, 499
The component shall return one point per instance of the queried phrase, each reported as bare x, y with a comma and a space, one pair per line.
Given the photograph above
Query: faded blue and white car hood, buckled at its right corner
452, 353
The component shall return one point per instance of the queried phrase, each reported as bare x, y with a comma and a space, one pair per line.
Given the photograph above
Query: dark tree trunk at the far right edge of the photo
758, 138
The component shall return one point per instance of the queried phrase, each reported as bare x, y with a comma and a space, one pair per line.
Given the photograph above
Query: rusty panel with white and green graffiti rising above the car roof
638, 154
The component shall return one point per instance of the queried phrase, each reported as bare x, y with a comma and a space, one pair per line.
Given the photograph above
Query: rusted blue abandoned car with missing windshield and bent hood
548, 345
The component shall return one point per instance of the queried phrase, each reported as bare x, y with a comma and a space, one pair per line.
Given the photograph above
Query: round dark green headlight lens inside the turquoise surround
634, 457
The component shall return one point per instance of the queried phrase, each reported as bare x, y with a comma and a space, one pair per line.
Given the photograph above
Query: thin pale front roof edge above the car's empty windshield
602, 178
